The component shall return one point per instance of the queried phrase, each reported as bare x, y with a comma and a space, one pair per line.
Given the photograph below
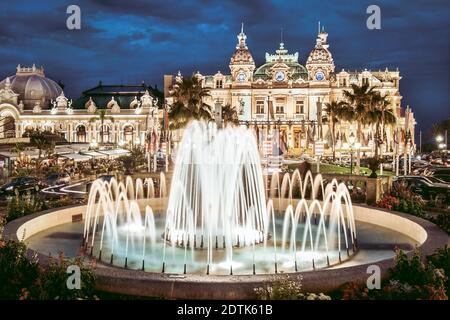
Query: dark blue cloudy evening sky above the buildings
129, 41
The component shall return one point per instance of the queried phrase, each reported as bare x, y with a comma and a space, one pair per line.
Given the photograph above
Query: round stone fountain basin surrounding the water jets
379, 233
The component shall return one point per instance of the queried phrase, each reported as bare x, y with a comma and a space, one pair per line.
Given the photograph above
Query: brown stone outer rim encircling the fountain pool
194, 286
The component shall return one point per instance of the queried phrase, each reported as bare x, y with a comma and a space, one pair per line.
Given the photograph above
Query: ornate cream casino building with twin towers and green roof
284, 99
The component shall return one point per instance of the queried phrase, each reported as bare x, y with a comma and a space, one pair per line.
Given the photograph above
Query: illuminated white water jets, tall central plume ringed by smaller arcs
222, 214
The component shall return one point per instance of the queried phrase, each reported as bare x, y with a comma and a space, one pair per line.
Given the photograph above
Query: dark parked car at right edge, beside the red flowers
427, 189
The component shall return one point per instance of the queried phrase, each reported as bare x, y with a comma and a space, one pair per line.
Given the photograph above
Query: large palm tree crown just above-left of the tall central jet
189, 103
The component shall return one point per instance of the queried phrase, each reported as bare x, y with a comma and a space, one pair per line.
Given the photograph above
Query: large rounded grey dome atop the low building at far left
32, 86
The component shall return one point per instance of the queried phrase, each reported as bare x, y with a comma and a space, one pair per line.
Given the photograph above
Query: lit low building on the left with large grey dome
29, 100
